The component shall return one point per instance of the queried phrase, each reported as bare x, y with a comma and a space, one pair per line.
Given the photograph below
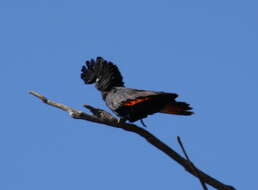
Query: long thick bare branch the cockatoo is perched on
103, 117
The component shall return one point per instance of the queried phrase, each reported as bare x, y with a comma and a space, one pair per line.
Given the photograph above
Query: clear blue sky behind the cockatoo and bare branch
206, 51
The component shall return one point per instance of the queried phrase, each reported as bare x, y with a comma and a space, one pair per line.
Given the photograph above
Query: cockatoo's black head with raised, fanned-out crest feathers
105, 74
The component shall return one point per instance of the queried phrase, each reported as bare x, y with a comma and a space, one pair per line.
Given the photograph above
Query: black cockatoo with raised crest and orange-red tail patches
127, 103
